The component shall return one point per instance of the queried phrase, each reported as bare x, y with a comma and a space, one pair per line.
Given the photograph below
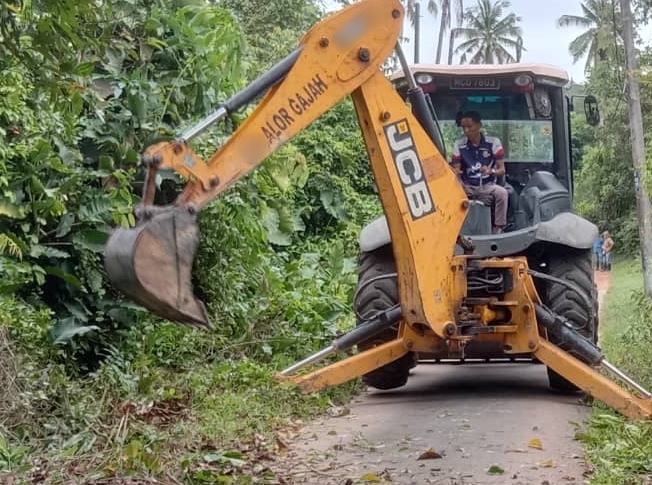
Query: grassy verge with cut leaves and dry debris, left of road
135, 423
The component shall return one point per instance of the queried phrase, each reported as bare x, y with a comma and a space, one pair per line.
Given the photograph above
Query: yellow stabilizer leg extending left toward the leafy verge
351, 367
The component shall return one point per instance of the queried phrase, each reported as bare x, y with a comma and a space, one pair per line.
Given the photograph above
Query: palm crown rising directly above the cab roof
489, 37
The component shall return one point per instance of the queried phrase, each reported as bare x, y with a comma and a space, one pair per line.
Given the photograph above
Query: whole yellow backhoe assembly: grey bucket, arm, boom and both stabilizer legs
424, 204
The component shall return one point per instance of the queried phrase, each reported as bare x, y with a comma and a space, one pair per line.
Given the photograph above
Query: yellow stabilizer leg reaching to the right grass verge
592, 382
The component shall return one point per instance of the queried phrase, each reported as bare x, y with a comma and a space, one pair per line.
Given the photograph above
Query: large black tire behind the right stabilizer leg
576, 267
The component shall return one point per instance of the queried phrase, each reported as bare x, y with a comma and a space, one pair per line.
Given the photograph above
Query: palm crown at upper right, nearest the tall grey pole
600, 19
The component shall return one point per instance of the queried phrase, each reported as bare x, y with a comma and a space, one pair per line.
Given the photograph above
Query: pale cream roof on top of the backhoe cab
538, 70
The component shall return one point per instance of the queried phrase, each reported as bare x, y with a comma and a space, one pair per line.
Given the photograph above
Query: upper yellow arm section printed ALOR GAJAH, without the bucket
334, 58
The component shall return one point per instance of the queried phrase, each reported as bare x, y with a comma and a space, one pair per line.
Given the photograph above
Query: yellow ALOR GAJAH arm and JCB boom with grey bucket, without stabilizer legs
341, 55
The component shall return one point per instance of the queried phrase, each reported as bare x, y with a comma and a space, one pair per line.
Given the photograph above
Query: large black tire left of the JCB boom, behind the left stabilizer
375, 297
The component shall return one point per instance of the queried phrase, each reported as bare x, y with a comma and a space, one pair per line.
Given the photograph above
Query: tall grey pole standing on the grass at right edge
638, 147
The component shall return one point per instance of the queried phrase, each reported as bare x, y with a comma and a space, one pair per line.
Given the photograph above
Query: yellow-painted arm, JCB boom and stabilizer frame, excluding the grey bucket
423, 201
